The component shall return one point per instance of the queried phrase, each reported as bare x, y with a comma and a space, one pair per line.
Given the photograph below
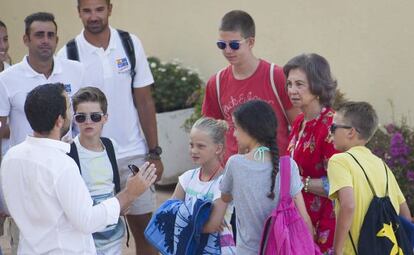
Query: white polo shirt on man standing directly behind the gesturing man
18, 80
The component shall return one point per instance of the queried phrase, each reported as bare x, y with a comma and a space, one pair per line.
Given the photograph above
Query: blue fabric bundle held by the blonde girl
176, 228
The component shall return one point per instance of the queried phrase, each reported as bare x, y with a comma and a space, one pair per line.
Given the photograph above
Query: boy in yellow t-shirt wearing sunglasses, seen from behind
353, 126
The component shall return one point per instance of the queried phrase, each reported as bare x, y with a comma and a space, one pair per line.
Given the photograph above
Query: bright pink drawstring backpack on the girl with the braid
285, 231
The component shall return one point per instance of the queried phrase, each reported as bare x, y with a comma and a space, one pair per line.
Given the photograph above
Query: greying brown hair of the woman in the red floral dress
318, 73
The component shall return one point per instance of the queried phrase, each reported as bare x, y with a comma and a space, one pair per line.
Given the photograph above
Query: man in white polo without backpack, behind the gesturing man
38, 67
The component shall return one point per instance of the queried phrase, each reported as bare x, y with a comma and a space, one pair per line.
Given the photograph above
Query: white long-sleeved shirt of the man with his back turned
48, 199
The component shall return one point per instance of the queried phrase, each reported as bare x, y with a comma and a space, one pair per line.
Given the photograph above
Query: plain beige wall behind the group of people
369, 44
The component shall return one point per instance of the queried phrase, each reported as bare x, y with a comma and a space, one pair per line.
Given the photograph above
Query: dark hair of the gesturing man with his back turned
44, 104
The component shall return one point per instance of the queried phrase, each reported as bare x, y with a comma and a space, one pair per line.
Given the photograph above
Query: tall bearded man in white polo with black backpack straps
108, 67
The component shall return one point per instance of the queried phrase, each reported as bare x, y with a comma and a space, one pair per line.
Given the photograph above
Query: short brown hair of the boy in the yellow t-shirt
361, 116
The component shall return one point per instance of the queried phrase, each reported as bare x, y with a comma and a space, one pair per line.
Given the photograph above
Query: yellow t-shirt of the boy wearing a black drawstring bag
343, 171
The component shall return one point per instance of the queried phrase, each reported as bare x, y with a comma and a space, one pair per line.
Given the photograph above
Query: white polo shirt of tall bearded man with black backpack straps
109, 70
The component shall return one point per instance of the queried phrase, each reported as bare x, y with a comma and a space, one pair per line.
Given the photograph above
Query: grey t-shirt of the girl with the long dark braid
248, 181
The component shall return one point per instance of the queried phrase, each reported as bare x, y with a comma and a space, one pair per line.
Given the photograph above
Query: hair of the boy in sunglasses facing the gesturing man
90, 94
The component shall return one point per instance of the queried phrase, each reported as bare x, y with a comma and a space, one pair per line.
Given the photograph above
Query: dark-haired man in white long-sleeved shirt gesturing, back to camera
43, 189
